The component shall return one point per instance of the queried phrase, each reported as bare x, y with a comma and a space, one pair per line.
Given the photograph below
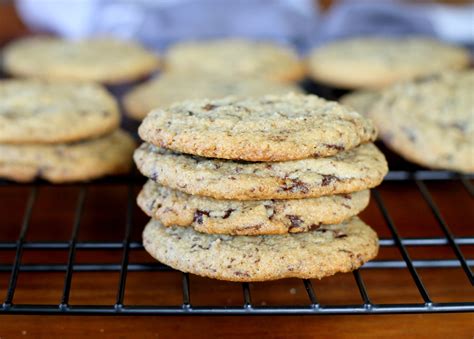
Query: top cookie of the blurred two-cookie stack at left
34, 111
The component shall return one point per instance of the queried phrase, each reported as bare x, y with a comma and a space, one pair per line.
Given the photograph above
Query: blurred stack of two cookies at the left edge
60, 131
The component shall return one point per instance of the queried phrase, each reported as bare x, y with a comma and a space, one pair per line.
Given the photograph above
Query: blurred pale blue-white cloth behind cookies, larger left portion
158, 23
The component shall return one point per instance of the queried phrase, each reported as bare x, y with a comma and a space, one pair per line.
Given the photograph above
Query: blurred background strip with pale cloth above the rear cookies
302, 23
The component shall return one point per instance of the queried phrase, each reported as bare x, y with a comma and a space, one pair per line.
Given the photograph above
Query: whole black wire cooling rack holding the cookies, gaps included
121, 255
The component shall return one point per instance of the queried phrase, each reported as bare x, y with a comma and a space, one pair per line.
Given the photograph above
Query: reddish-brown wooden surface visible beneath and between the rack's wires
104, 217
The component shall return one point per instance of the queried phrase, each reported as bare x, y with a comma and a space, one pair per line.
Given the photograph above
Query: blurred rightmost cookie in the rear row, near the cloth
374, 62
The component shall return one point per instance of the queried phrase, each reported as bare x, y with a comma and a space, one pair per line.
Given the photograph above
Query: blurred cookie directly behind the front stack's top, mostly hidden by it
174, 87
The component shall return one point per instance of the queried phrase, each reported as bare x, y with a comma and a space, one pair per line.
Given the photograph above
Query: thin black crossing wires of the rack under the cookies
247, 307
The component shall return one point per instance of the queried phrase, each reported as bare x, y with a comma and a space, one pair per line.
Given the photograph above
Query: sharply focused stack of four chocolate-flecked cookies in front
259, 189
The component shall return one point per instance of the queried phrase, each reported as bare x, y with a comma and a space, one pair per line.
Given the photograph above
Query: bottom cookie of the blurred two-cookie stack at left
79, 161
